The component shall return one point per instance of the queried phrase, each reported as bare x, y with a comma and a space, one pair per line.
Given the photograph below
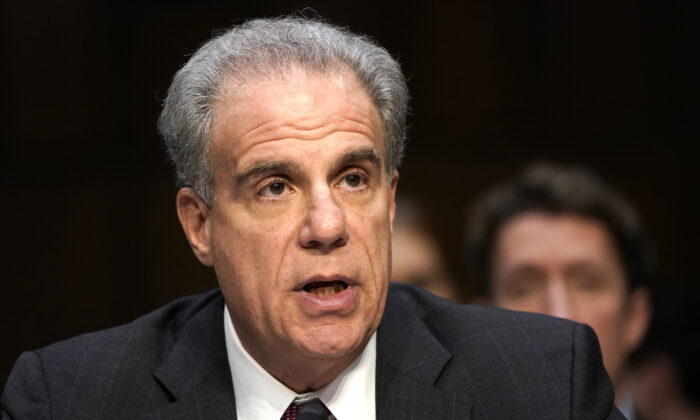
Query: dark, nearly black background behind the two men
91, 235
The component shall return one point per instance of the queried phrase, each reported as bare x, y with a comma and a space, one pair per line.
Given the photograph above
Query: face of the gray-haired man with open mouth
299, 232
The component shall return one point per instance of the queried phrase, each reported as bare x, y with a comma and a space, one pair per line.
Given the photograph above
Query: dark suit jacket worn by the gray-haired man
435, 360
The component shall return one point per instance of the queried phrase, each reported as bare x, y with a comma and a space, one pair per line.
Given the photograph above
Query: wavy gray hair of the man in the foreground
266, 47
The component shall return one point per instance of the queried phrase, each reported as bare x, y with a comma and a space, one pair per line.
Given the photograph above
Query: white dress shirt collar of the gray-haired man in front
260, 396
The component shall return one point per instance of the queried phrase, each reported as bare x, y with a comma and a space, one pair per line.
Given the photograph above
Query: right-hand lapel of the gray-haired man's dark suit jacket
410, 361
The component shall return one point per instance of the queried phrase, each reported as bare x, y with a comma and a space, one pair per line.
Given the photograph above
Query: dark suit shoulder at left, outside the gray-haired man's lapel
88, 367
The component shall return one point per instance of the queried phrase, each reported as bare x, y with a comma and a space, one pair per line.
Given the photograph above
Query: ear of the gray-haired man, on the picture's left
194, 216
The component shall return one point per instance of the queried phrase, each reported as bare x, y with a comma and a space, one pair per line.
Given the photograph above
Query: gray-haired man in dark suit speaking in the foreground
286, 134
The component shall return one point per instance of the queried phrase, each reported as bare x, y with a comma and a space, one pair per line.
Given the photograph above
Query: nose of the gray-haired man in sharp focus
324, 228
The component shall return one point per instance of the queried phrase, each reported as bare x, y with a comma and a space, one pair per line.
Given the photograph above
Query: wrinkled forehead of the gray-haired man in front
295, 104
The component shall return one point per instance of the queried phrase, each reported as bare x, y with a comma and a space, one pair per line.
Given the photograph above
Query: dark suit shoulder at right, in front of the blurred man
510, 363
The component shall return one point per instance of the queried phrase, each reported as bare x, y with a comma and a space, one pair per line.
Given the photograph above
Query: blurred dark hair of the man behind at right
556, 190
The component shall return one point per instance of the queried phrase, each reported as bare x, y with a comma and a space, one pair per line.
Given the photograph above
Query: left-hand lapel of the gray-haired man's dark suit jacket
196, 372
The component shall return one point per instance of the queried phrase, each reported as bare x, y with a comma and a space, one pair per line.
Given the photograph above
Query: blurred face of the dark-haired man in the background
567, 266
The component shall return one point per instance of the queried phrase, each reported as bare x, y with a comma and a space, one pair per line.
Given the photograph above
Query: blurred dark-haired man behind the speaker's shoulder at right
557, 241
